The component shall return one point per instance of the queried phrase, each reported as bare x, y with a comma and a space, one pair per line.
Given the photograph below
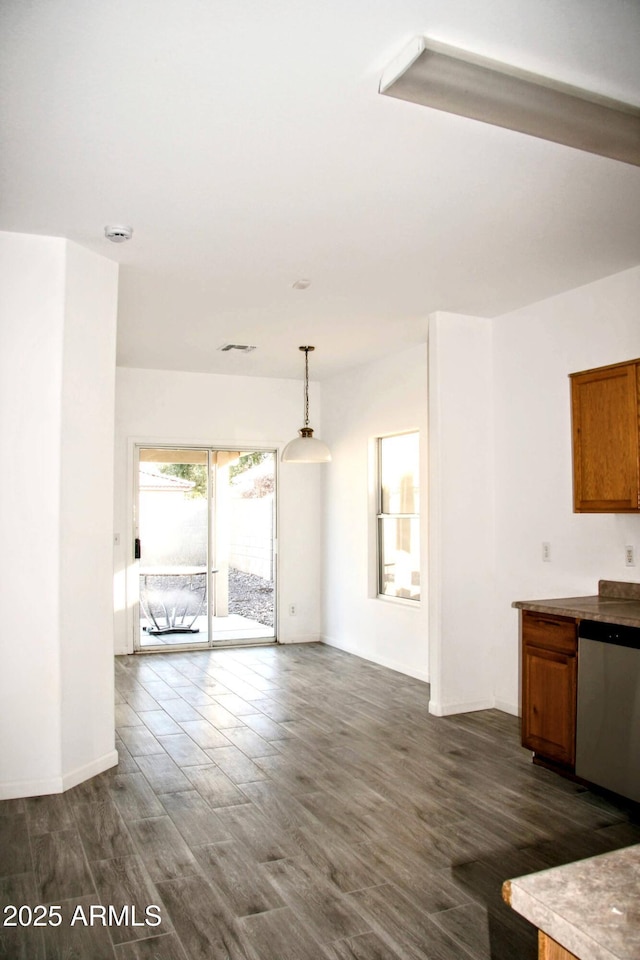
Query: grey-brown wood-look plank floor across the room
294, 803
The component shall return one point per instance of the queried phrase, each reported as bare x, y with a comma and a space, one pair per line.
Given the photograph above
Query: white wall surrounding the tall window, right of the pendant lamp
389, 396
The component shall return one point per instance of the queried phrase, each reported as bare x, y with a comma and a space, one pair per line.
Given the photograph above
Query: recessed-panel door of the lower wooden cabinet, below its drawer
549, 703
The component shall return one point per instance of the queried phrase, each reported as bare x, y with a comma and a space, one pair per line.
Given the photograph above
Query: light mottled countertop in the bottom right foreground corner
590, 907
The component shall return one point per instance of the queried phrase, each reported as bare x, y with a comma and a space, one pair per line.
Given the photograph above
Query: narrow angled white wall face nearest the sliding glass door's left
86, 505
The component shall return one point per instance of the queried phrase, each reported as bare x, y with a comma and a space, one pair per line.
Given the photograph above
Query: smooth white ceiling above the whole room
247, 145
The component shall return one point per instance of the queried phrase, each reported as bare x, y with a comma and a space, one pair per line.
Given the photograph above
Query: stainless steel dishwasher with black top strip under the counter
608, 720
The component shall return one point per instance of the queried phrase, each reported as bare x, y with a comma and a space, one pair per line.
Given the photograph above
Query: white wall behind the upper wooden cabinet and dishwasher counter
534, 351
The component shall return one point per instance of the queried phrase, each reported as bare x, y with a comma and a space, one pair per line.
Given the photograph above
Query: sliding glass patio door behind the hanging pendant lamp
205, 547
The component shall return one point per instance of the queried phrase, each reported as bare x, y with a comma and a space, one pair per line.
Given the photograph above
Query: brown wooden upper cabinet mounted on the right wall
605, 405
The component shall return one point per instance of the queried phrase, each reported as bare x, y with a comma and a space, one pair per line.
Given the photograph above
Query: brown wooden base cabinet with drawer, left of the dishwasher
549, 684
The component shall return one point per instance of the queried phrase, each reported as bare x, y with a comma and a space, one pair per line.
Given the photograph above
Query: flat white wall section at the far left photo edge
32, 290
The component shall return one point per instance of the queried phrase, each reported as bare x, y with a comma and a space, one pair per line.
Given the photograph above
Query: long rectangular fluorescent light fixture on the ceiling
445, 78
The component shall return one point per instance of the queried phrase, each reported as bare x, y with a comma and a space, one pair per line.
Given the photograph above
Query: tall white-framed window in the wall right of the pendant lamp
399, 516
